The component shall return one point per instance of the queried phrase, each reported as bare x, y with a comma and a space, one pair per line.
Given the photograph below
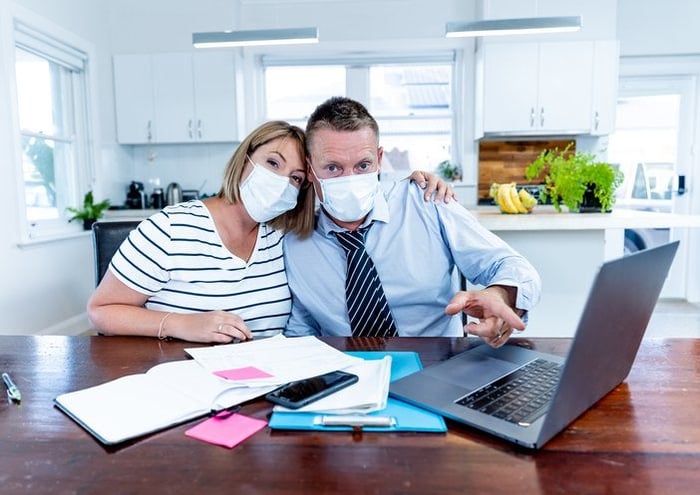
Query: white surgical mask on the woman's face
267, 195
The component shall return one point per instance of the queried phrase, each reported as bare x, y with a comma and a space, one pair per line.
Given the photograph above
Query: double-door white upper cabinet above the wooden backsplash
537, 88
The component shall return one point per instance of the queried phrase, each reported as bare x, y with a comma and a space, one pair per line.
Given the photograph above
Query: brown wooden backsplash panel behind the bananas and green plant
506, 161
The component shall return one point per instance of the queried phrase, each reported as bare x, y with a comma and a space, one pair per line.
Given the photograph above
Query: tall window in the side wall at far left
52, 110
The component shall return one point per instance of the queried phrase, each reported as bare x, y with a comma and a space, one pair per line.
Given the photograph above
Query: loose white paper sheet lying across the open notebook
285, 359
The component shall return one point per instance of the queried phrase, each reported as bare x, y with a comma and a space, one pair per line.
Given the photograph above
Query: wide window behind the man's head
410, 98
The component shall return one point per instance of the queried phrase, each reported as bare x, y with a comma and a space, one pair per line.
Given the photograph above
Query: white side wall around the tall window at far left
45, 286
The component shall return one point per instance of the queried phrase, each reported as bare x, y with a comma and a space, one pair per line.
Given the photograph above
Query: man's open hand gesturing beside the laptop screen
497, 320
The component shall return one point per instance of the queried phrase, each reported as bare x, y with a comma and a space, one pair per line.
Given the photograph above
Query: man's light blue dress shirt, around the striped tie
416, 247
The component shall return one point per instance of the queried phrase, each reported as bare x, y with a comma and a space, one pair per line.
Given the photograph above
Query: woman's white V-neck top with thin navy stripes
177, 258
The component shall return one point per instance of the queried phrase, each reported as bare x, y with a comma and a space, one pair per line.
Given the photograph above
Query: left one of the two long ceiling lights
224, 39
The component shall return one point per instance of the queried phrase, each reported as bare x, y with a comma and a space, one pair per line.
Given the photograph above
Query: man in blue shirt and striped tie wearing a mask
414, 246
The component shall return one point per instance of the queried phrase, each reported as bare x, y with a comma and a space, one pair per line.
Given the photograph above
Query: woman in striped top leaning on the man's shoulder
212, 270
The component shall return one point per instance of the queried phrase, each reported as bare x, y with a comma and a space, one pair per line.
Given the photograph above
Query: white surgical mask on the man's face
351, 197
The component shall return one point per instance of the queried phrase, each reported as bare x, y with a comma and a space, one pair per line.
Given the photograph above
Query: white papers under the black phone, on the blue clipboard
367, 395
